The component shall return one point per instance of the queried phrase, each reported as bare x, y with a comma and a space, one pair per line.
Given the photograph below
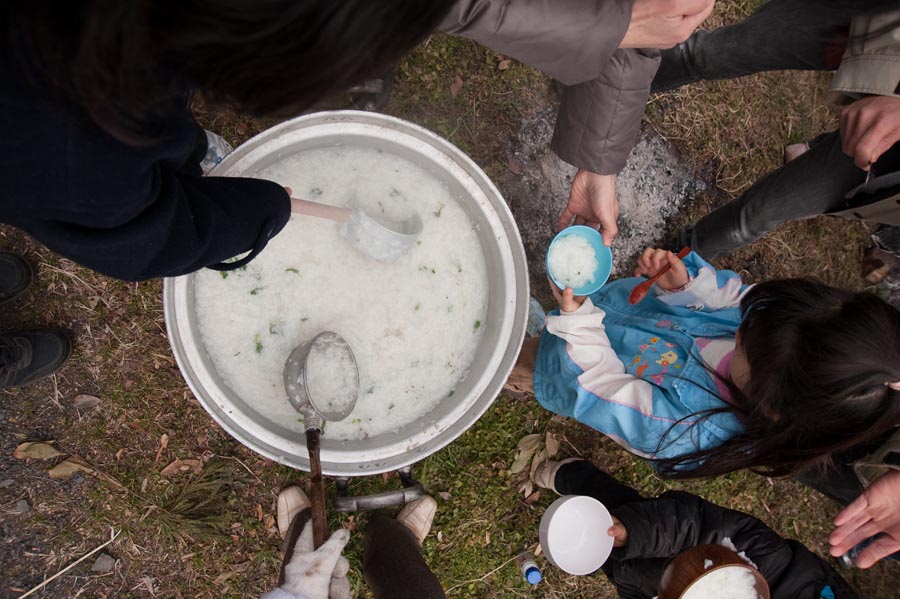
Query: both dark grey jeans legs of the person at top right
782, 35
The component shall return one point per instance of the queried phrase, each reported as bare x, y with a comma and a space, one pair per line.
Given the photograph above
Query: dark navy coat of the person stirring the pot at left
131, 211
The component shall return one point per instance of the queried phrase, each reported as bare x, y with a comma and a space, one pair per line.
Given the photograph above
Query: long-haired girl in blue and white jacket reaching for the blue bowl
708, 375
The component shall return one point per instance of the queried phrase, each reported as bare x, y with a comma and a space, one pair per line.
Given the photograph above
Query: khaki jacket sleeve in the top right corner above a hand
871, 63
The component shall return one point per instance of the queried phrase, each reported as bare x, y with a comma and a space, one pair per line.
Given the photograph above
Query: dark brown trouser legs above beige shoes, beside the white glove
392, 559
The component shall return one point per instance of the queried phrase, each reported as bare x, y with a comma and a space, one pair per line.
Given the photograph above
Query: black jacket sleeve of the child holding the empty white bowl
664, 527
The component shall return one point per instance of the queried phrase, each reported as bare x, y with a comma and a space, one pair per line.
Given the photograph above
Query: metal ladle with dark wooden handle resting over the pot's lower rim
317, 409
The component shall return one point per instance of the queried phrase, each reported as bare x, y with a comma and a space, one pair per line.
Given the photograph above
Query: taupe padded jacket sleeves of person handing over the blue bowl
577, 43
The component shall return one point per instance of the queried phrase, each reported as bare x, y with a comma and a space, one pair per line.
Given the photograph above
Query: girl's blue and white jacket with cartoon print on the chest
635, 372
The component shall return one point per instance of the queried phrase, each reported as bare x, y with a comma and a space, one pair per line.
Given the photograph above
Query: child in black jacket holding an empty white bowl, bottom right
650, 532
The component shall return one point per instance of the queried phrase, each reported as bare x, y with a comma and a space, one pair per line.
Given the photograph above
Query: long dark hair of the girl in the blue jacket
820, 363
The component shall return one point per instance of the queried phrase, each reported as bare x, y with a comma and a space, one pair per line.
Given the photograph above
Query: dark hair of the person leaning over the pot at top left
123, 60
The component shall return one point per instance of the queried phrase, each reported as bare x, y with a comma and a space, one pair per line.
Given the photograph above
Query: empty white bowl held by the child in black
574, 535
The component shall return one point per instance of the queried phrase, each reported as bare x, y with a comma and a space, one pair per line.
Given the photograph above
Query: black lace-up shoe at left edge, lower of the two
28, 356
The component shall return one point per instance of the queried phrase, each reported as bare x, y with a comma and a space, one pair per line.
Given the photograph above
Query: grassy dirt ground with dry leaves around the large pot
204, 526
